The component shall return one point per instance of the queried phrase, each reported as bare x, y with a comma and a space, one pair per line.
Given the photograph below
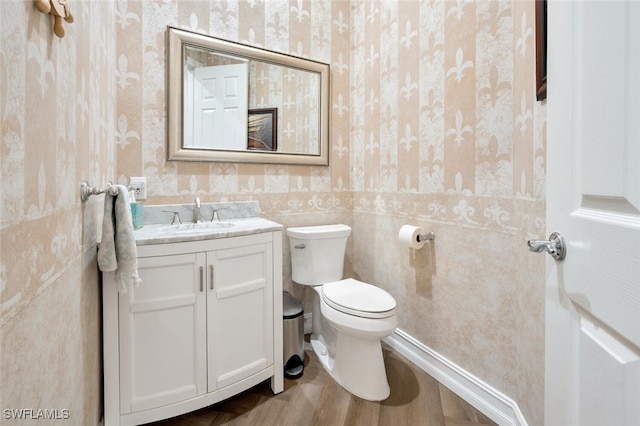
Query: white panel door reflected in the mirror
221, 97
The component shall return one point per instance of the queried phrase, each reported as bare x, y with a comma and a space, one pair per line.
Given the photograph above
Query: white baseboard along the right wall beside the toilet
491, 402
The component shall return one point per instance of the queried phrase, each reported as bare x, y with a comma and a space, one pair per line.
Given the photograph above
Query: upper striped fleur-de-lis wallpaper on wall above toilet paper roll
443, 106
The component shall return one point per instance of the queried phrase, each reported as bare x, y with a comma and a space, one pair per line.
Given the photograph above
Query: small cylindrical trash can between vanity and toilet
293, 336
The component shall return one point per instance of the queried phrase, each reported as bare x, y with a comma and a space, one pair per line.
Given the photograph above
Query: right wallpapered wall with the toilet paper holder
446, 134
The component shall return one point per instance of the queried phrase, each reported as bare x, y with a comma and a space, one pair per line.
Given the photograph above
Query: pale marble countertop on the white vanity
166, 233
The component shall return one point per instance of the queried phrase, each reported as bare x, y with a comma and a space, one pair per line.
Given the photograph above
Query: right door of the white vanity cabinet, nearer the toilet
240, 313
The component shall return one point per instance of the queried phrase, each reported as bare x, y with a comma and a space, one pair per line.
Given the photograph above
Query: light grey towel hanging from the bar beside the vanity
117, 251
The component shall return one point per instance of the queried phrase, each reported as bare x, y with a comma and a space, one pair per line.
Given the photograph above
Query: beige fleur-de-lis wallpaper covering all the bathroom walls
434, 122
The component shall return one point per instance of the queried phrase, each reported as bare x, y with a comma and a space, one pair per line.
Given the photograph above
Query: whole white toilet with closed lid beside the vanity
349, 317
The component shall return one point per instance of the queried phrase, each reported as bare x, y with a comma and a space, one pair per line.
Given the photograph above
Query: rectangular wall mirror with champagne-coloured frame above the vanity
231, 102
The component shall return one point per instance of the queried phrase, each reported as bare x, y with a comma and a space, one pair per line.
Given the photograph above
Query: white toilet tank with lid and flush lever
317, 253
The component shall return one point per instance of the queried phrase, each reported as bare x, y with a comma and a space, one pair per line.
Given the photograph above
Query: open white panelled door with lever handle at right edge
593, 199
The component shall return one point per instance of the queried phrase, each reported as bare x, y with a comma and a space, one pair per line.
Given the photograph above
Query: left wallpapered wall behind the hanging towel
57, 129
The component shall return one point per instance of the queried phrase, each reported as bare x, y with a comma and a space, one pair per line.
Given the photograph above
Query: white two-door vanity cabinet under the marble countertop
205, 324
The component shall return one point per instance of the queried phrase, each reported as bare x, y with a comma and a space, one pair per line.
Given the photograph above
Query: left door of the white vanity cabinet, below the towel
163, 333
